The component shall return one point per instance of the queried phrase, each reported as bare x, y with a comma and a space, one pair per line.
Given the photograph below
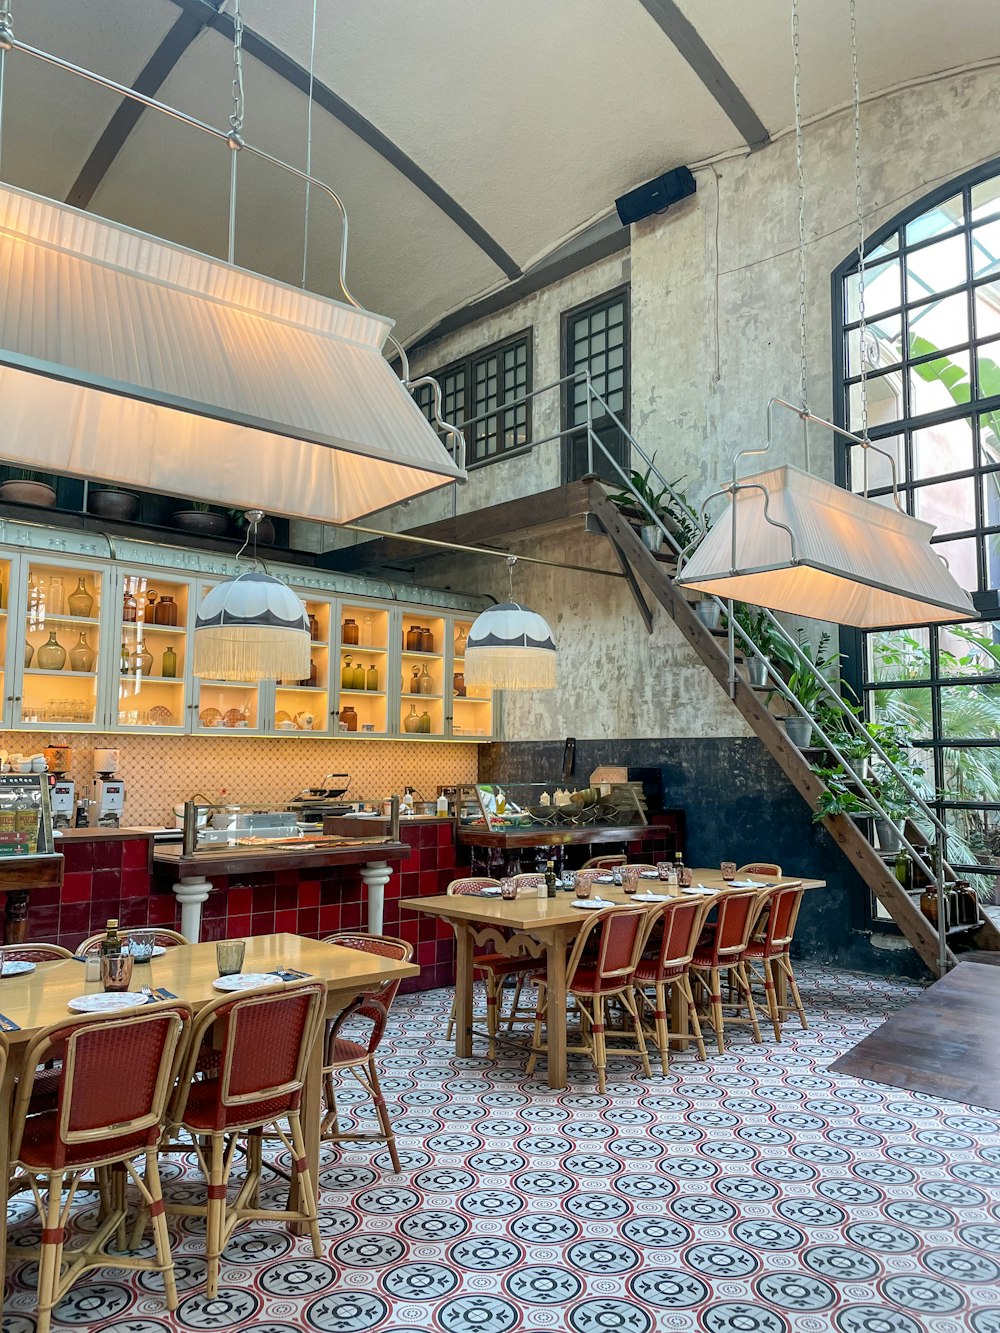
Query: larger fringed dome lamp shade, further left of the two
253, 629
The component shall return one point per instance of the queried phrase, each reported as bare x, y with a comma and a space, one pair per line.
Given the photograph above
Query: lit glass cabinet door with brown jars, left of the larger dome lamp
153, 639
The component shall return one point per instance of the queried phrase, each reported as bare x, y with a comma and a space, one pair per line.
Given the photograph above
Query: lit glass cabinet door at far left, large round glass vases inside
62, 646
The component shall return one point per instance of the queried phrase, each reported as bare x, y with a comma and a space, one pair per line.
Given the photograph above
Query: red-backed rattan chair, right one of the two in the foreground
265, 1040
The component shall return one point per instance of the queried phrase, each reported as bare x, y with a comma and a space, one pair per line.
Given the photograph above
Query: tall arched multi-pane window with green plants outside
933, 351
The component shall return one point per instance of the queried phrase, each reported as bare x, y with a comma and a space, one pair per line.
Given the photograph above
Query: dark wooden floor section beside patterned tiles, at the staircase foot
945, 1044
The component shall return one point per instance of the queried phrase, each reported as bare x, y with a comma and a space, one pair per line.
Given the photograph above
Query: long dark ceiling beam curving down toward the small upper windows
349, 117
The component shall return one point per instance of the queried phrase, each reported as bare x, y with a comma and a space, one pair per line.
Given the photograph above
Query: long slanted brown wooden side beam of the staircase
655, 574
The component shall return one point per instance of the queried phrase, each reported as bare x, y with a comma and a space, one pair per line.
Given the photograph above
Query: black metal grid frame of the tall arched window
854, 643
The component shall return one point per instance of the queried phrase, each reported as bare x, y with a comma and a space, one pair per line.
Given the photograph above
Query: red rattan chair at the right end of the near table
346, 1055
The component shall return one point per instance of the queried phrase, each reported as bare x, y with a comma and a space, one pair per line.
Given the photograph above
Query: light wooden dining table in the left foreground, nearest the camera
41, 998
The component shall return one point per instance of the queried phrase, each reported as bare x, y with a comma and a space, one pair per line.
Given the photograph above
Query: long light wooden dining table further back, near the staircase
543, 928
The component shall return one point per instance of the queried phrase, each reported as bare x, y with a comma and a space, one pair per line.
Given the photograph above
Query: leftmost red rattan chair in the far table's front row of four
619, 935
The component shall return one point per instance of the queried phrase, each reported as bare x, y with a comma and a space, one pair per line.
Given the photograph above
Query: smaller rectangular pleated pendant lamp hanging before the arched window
857, 563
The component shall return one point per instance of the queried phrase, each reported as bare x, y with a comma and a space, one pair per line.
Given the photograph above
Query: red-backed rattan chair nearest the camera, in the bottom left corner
115, 1080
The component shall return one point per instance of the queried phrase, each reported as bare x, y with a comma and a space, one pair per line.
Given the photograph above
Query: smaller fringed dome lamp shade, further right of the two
511, 649
